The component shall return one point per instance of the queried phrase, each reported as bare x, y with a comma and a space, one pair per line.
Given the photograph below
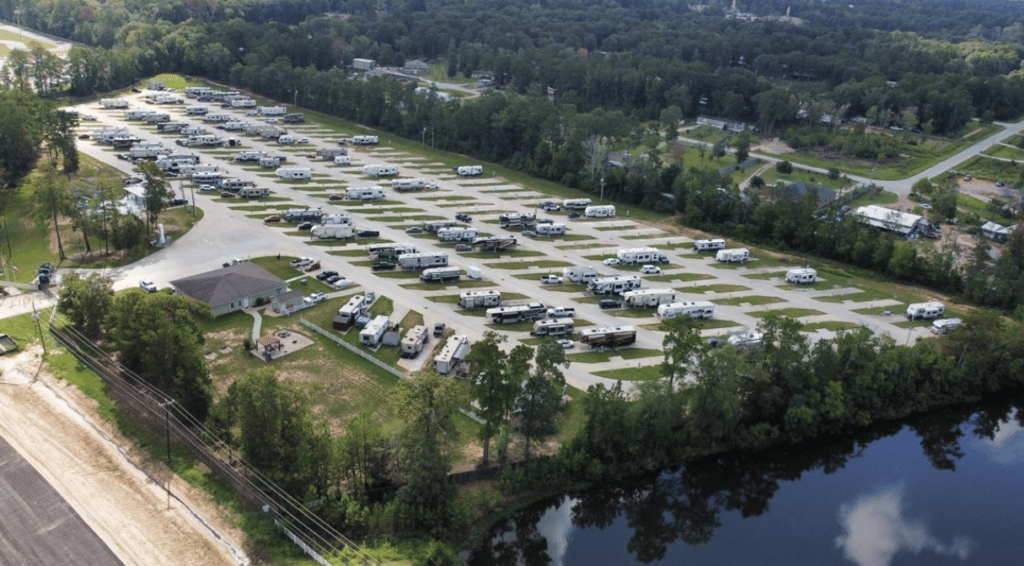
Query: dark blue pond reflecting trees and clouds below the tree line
943, 490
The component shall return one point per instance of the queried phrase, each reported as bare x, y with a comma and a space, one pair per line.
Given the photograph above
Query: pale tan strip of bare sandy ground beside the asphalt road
58, 430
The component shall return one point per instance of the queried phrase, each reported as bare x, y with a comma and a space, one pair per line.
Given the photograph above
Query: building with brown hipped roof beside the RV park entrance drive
232, 288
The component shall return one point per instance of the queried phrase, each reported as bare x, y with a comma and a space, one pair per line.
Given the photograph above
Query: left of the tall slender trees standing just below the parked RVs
496, 386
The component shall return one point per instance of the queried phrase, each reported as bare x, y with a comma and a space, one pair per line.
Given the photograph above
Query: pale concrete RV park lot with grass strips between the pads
234, 229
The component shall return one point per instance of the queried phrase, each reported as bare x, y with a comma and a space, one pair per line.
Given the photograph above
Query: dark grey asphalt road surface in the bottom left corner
37, 526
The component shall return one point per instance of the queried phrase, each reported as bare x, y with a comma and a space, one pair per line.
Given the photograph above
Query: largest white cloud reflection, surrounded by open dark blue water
876, 532
